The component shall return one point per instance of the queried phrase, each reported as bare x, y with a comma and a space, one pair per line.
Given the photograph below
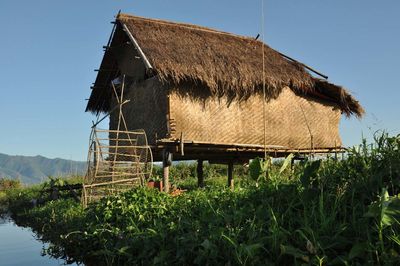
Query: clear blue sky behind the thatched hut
49, 49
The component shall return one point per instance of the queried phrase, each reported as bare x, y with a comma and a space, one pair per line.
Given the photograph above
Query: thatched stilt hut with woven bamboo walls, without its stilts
204, 94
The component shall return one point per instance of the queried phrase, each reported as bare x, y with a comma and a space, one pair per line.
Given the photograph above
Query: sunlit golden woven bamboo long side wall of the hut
291, 121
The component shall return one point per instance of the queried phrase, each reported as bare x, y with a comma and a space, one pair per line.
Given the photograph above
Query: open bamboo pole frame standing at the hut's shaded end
118, 159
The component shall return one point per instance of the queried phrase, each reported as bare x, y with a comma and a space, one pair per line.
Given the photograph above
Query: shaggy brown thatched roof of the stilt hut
218, 63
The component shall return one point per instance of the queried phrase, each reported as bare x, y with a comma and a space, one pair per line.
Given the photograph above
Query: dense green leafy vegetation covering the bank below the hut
321, 212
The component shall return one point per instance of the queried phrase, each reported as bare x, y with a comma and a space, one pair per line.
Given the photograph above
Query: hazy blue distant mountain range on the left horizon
34, 169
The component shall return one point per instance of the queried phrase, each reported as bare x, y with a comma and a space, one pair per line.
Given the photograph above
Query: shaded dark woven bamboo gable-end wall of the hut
146, 110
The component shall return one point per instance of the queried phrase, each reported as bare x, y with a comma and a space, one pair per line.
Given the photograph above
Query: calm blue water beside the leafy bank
18, 246
